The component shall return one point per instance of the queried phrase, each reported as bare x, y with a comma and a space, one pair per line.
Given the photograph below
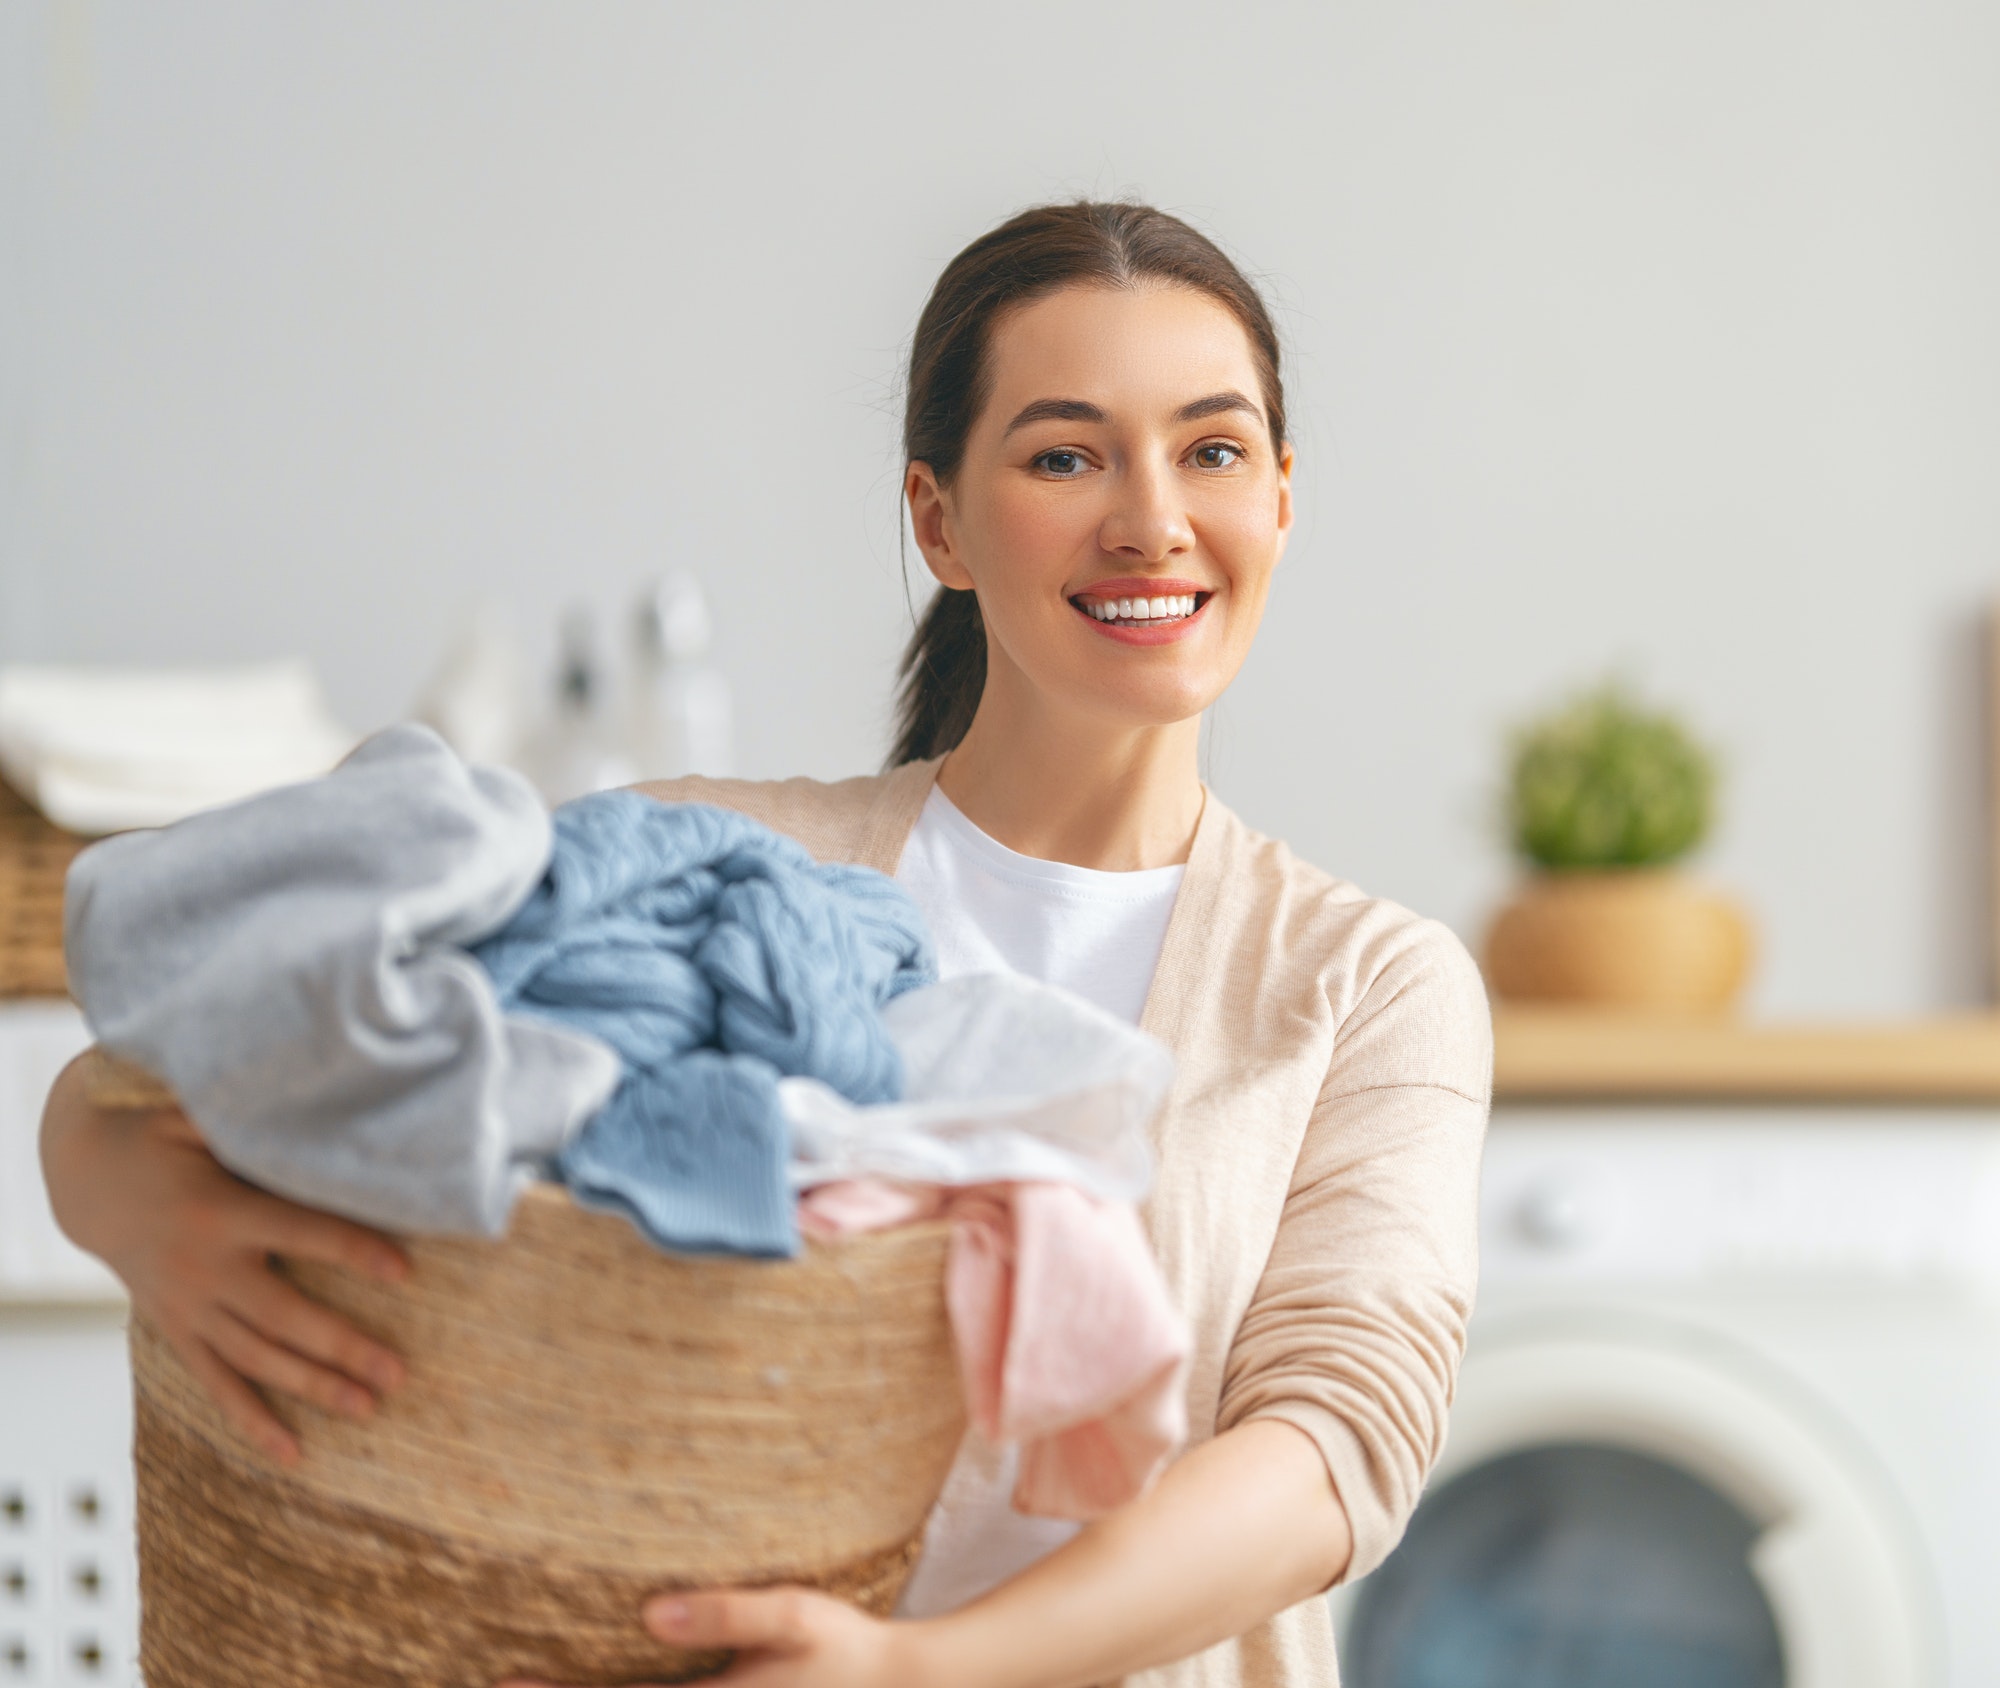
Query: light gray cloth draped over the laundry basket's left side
297, 969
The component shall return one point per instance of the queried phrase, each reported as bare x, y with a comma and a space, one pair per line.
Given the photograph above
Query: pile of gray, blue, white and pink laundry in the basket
405, 991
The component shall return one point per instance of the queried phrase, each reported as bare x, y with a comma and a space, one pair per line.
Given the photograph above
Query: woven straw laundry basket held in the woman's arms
587, 1421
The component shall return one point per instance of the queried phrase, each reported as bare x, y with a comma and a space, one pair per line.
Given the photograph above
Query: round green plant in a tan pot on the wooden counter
1603, 801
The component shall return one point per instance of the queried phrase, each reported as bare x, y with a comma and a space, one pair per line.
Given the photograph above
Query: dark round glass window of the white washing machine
1569, 1567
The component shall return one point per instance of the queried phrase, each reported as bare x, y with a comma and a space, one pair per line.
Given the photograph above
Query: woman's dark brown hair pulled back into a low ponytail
1091, 243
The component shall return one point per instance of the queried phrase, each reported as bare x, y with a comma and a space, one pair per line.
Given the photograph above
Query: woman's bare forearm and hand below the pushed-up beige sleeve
1233, 1533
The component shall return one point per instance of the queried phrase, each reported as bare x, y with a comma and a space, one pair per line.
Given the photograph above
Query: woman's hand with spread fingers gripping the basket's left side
195, 1247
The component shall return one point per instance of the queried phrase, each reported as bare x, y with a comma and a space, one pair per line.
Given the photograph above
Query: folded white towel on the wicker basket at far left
113, 749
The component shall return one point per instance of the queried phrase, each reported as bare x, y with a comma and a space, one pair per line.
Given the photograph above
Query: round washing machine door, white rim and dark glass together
1643, 1511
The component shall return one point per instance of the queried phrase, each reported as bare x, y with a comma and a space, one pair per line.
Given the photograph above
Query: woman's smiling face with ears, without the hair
1119, 507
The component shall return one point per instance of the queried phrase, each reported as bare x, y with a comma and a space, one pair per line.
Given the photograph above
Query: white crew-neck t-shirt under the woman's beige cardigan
1097, 935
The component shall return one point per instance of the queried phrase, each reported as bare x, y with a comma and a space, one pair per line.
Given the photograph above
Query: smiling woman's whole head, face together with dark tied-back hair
1097, 391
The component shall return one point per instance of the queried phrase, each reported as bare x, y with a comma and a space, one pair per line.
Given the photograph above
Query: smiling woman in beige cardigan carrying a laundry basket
1099, 477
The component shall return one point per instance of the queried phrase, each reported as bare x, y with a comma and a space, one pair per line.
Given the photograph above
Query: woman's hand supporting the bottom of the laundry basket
787, 1639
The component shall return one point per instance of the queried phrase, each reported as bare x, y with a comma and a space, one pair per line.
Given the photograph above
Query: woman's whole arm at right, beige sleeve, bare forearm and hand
1333, 1399
